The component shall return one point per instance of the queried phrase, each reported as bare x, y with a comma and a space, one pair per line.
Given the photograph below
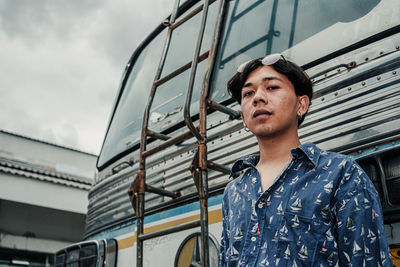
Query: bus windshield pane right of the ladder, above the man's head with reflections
302, 30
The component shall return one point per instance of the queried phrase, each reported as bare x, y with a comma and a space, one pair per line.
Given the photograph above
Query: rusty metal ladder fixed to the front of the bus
139, 187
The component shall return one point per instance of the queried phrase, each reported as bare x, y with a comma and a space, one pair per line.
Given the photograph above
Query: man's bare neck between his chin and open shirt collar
276, 150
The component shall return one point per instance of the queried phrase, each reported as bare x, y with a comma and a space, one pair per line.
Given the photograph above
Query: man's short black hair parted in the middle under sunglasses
300, 80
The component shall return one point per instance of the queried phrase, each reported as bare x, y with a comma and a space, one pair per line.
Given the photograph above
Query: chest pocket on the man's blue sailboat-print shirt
297, 239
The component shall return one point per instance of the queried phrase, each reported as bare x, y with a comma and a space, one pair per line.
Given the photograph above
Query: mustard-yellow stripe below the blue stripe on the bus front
214, 216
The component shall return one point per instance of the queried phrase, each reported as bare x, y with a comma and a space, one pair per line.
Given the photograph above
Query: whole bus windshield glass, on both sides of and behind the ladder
303, 31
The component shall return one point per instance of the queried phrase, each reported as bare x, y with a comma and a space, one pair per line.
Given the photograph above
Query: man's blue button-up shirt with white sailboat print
322, 210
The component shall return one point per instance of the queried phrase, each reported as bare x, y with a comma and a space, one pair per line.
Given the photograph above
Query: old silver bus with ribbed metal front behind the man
174, 131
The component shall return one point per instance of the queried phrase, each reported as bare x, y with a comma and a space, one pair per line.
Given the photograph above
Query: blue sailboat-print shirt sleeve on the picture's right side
359, 218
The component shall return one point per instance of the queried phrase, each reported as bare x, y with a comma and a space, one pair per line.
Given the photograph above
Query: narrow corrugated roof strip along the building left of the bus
44, 174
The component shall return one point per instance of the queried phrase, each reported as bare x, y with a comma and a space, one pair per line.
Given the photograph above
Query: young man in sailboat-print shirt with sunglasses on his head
294, 204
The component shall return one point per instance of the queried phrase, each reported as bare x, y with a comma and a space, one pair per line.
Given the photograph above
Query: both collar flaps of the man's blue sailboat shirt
311, 151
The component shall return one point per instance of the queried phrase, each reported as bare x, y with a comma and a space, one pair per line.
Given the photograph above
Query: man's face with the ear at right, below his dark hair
270, 106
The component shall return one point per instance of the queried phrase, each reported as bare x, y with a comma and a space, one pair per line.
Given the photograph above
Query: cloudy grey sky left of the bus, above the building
61, 63
